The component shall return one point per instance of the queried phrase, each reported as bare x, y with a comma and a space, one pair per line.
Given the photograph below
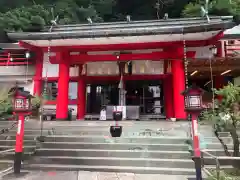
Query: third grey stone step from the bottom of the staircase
113, 153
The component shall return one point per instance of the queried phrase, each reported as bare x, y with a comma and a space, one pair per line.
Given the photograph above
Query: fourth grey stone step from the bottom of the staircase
115, 146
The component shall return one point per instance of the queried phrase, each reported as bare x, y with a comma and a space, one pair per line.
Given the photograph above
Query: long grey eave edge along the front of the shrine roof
153, 30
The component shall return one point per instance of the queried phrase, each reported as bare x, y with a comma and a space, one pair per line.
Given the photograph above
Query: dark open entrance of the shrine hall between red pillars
148, 95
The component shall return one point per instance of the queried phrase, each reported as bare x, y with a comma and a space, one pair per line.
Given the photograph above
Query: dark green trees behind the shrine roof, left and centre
32, 15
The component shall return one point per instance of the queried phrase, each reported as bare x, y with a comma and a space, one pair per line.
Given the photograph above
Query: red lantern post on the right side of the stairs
194, 106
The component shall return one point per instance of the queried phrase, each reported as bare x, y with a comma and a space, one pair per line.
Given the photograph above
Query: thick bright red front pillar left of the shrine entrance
63, 86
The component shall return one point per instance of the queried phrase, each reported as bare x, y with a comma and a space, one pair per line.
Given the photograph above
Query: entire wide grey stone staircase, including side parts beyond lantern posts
154, 147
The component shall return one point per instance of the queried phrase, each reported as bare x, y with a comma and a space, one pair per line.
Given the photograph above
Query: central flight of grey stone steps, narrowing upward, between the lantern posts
143, 148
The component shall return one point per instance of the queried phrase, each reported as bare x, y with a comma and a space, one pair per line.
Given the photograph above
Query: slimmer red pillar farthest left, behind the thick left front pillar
37, 89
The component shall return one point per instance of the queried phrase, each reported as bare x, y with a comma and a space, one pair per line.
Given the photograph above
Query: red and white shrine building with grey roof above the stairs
142, 65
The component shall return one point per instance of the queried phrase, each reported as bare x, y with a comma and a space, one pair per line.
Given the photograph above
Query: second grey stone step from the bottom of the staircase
114, 161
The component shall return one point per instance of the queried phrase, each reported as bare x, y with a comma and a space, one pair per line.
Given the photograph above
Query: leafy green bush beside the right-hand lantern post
226, 117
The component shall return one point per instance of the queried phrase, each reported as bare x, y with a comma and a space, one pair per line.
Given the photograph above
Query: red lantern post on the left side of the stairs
21, 107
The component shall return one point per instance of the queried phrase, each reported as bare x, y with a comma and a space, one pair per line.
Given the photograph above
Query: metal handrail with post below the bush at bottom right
217, 158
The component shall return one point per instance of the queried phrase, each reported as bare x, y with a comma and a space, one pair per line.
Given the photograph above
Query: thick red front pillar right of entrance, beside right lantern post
178, 78
